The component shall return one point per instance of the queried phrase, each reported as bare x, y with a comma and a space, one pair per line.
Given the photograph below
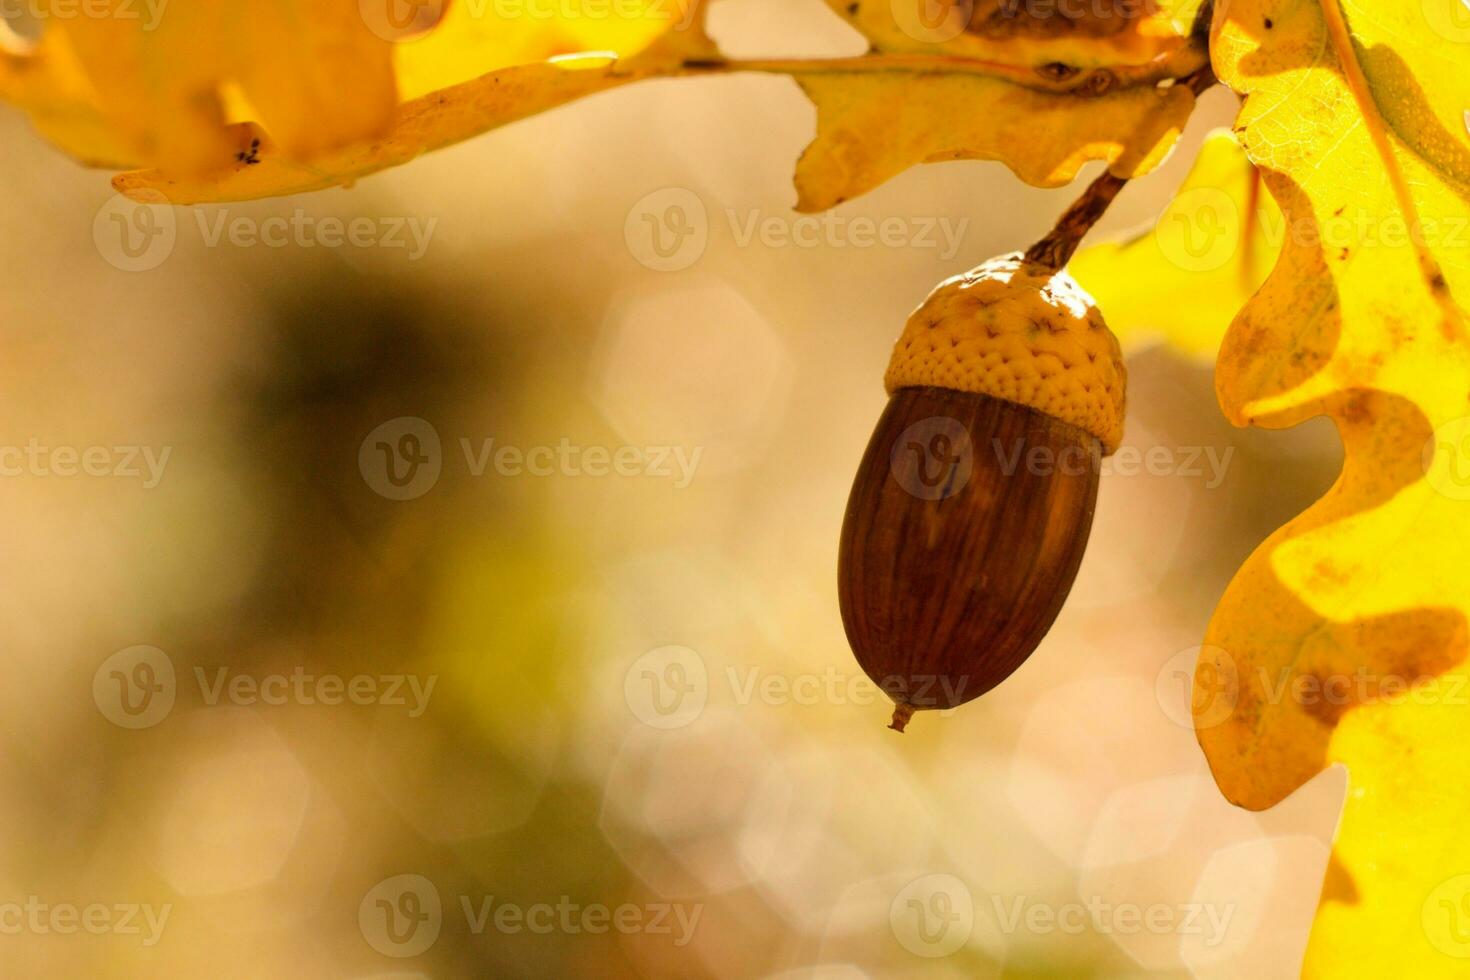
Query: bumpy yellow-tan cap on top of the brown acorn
1021, 333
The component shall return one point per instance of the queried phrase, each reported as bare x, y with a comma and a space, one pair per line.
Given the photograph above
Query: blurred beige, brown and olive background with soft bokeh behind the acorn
456, 597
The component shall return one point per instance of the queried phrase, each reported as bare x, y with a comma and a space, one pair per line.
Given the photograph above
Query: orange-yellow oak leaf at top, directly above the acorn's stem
1017, 82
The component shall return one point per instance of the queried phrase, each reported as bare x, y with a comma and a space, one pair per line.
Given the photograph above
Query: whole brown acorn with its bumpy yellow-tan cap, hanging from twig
974, 502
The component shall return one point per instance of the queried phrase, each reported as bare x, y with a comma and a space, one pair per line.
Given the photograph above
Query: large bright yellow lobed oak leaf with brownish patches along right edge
1344, 637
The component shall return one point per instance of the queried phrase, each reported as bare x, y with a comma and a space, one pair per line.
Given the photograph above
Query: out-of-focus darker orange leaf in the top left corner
148, 83
